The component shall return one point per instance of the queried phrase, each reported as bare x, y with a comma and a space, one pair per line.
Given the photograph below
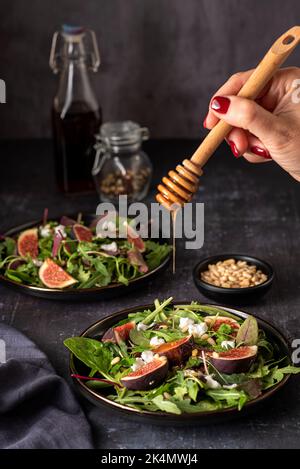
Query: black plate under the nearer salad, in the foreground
99, 399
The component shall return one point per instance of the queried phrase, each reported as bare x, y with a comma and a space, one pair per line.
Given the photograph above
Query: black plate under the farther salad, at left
84, 294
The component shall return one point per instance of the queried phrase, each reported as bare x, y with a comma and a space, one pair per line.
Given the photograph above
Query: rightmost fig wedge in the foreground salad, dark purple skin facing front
236, 360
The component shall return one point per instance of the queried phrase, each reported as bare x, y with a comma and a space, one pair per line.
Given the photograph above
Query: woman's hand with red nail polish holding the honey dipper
266, 129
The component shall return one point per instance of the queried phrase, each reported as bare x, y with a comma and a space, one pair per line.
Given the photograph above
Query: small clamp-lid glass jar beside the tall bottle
121, 167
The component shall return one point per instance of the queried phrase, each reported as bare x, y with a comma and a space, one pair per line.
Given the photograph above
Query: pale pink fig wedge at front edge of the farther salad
54, 276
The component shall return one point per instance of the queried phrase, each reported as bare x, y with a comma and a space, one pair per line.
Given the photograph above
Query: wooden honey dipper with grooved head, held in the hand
182, 184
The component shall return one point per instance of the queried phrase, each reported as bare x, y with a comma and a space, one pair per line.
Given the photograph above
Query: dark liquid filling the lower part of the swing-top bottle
74, 136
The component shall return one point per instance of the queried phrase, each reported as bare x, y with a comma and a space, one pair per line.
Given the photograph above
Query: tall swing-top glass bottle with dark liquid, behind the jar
76, 115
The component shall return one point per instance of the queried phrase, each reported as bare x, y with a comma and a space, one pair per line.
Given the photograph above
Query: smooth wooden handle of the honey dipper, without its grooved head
271, 62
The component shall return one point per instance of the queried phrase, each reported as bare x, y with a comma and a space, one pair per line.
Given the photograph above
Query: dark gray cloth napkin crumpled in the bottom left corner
37, 407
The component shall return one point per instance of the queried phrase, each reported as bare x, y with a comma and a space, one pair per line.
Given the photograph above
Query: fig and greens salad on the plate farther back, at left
69, 254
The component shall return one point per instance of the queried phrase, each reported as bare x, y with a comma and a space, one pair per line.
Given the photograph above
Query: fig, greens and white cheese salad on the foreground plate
181, 359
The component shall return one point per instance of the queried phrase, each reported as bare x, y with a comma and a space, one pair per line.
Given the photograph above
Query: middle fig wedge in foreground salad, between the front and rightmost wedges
177, 351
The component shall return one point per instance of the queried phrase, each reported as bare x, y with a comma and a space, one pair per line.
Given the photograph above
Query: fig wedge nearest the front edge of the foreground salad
148, 376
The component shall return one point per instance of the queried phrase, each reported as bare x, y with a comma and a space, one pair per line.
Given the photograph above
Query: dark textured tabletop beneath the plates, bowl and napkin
251, 209
